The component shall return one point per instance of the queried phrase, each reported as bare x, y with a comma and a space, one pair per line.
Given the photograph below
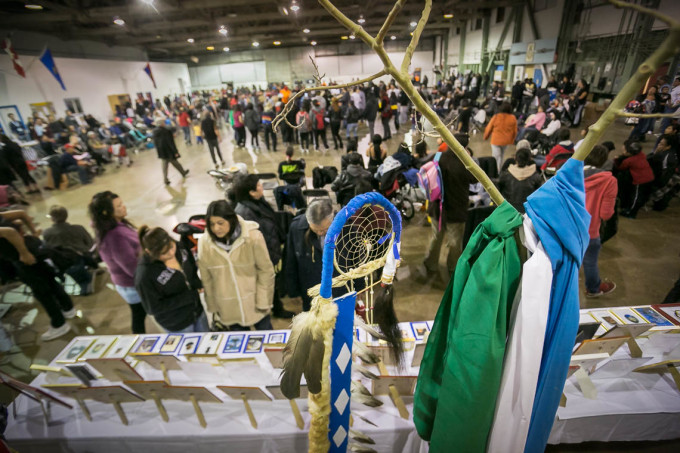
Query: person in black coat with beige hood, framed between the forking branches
520, 179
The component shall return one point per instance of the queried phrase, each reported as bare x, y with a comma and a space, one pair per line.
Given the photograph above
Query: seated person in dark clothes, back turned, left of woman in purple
76, 239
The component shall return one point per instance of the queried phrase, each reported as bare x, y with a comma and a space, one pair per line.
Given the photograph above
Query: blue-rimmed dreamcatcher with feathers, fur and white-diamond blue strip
364, 237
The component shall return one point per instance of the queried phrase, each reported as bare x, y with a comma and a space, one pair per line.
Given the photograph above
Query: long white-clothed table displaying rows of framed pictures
629, 405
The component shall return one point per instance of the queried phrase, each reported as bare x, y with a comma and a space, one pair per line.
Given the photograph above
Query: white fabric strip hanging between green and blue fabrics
525, 348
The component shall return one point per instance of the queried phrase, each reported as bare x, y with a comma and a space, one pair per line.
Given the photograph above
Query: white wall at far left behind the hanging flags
90, 80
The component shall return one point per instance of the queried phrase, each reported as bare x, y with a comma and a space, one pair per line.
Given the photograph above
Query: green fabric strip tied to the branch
460, 374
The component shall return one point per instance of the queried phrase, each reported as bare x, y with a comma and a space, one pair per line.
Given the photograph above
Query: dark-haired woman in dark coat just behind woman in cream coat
251, 205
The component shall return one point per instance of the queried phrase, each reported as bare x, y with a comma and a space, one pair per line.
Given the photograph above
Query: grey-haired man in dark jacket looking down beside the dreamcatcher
304, 246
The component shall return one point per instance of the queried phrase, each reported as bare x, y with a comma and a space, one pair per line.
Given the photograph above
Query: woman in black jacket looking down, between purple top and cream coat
167, 281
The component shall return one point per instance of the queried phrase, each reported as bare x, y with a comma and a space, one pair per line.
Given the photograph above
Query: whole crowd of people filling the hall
249, 257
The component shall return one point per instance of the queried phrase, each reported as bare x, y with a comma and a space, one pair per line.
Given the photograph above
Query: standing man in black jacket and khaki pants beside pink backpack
456, 181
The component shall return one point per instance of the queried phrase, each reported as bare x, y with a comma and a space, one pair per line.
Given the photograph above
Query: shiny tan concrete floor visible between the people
642, 259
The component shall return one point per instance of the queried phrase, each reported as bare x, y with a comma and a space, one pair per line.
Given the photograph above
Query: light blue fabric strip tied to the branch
561, 220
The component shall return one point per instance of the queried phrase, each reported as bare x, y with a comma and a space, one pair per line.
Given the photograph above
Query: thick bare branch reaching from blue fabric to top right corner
668, 48
